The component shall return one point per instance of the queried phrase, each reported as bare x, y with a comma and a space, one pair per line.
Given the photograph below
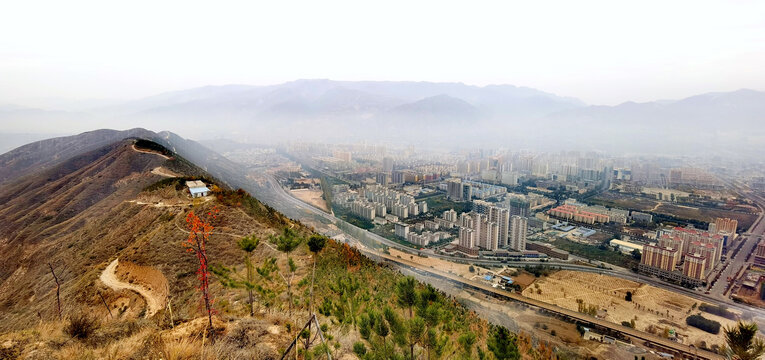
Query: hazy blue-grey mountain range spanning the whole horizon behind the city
326, 110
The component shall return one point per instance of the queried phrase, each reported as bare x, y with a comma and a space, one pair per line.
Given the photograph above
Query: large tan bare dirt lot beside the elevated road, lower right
652, 309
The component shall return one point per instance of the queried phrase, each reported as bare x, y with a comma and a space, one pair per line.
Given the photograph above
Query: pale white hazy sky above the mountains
603, 52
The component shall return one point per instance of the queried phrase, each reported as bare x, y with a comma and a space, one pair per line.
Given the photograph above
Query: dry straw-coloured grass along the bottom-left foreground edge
249, 338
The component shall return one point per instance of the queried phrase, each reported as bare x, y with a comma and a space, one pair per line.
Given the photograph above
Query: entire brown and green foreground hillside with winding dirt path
112, 227
